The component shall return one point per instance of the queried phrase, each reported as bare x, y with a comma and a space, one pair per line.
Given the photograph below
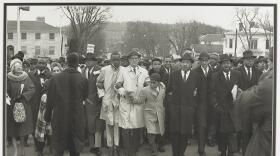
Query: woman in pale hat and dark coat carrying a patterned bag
20, 89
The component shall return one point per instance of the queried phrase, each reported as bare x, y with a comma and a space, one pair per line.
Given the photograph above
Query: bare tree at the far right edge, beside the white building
266, 24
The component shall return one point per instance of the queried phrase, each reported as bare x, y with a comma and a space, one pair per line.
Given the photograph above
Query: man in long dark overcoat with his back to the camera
66, 93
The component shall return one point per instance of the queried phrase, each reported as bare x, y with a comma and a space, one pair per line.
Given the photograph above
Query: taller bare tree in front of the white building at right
246, 18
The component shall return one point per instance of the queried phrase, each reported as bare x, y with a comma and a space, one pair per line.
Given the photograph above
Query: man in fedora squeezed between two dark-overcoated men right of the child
202, 112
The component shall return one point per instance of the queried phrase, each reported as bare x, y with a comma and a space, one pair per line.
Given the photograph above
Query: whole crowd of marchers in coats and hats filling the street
128, 101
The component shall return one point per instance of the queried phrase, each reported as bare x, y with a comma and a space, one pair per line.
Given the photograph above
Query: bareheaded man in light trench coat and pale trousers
110, 102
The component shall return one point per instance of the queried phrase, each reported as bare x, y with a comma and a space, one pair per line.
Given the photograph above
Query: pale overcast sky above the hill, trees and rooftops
214, 15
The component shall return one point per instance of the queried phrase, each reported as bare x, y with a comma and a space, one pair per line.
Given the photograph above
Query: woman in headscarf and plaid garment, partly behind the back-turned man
43, 129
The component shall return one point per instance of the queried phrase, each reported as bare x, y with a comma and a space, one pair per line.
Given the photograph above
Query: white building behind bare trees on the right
259, 44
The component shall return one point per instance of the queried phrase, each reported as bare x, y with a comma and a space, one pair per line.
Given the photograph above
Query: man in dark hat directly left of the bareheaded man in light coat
95, 126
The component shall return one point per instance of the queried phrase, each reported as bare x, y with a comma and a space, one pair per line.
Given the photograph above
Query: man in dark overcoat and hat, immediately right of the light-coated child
186, 88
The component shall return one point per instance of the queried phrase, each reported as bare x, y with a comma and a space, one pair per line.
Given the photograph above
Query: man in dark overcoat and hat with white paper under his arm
222, 84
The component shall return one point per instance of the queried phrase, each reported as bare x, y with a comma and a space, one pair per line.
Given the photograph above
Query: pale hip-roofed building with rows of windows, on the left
38, 39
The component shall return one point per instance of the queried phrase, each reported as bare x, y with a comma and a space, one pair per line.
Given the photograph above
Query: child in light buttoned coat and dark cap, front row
152, 97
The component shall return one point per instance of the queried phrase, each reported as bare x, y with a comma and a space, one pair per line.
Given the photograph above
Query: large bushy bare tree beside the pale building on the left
85, 21
